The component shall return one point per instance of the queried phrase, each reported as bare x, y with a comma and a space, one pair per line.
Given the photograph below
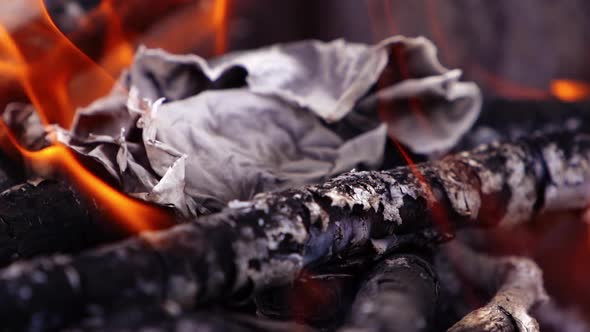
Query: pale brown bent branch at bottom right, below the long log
517, 283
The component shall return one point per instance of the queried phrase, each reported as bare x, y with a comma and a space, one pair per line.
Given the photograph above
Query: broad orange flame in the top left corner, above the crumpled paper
44, 61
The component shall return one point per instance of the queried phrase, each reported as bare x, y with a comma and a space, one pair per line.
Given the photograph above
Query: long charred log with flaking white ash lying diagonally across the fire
355, 218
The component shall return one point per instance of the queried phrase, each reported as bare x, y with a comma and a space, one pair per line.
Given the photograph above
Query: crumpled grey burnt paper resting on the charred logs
196, 134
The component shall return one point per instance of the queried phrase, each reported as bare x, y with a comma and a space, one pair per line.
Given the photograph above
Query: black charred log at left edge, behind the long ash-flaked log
50, 217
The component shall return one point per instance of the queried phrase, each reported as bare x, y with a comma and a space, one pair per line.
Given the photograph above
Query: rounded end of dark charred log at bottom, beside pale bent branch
399, 294
